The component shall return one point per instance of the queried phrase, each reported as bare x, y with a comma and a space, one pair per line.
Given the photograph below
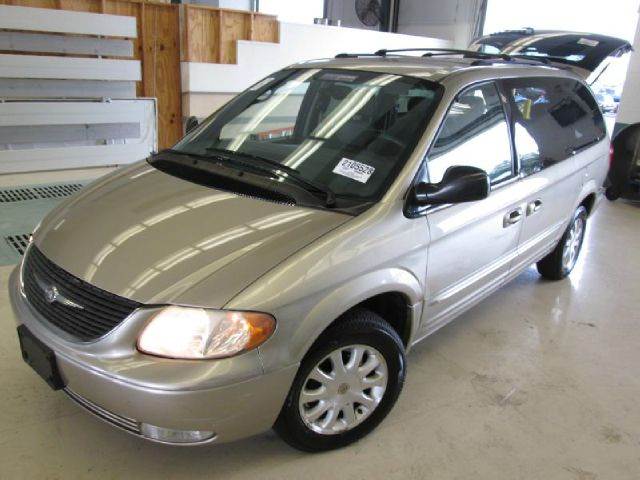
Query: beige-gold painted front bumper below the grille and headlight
233, 398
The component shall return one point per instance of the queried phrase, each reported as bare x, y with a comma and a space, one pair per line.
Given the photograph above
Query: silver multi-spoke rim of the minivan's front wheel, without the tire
343, 389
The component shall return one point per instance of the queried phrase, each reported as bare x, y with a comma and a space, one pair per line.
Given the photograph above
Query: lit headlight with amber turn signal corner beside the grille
198, 333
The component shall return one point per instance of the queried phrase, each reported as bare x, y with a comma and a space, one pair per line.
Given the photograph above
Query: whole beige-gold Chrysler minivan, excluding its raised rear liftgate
274, 267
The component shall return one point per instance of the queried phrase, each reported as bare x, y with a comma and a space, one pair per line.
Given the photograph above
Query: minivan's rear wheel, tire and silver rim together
559, 263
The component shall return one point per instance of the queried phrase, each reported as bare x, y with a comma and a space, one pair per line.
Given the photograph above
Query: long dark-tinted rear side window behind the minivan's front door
551, 118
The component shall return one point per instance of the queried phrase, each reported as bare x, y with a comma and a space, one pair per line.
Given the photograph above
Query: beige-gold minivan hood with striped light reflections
154, 238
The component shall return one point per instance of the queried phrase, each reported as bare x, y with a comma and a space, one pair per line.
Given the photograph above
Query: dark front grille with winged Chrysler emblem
82, 310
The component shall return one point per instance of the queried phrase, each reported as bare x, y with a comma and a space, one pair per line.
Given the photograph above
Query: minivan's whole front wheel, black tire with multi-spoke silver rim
345, 386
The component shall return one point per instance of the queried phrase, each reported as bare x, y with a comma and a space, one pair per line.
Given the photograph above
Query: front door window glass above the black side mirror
475, 133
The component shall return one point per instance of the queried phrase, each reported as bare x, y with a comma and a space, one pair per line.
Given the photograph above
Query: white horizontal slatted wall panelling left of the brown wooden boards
63, 104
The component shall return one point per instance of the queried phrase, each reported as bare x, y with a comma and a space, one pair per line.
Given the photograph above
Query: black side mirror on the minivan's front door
459, 184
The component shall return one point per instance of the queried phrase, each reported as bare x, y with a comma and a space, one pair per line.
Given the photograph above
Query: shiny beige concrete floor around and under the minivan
540, 381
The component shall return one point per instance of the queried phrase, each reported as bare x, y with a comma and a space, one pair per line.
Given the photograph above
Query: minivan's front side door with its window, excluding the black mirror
472, 244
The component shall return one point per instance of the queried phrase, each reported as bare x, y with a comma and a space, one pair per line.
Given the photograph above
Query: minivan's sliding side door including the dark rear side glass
553, 123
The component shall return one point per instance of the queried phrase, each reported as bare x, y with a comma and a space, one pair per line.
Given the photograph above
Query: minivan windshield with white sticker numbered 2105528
344, 132
